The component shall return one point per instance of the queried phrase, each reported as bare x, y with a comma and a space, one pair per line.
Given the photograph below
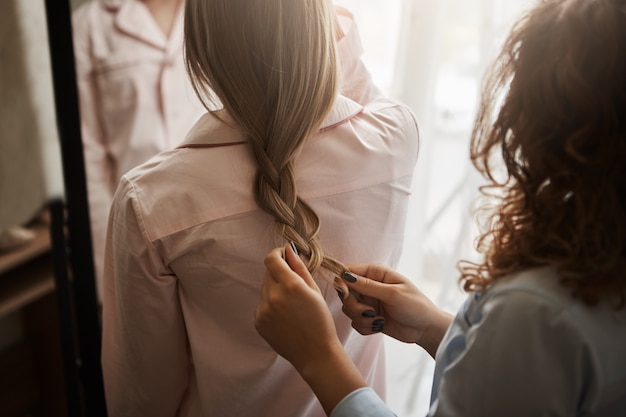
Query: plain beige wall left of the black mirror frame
30, 164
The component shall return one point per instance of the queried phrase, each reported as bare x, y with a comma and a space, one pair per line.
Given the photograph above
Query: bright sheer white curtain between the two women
431, 54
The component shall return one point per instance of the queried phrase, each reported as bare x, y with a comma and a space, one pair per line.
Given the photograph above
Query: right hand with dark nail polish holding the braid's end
384, 300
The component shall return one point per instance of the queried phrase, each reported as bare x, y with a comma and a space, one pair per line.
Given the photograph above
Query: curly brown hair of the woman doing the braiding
554, 108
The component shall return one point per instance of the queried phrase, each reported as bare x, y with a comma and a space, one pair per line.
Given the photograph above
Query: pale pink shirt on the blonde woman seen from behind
185, 250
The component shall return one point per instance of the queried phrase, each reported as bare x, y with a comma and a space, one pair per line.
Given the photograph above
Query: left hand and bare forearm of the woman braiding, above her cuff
294, 319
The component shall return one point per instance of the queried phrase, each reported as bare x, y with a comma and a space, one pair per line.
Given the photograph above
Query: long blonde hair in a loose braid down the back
273, 65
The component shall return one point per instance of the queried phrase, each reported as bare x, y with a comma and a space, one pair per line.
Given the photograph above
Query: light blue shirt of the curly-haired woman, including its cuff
524, 347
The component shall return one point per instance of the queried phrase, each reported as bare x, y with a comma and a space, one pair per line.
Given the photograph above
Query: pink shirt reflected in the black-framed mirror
135, 97
